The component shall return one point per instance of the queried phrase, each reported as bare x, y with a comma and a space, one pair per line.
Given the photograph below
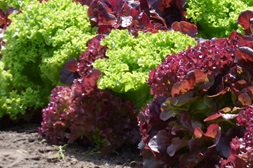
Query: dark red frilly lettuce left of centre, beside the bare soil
85, 113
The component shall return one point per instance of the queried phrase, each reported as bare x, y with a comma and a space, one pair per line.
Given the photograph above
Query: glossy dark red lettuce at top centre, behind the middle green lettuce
144, 15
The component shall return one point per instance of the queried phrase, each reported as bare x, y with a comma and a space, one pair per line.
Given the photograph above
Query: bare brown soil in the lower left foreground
22, 147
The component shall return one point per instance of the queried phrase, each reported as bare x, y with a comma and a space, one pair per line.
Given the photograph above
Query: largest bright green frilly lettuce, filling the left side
38, 42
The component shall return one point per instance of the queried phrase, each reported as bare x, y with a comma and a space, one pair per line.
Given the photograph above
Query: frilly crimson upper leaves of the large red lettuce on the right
211, 57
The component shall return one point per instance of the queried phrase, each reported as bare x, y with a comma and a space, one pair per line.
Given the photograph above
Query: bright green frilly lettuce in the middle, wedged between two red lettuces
130, 59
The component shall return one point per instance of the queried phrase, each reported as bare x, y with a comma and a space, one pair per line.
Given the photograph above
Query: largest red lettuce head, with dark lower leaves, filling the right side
198, 96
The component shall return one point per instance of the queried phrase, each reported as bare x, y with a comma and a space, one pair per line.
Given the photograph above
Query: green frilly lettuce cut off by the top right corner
216, 18
